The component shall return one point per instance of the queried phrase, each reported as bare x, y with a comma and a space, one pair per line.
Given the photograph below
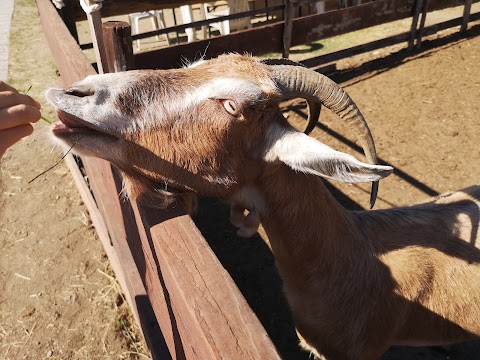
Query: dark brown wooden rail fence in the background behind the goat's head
276, 37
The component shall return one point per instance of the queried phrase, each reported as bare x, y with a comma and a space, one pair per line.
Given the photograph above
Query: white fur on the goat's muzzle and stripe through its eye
99, 108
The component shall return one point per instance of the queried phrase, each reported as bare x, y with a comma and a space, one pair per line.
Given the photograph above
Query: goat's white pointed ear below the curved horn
305, 154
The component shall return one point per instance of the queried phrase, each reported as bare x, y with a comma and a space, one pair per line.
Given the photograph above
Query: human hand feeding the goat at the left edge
17, 113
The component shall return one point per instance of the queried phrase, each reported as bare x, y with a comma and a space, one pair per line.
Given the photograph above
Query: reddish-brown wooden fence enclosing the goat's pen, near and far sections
185, 302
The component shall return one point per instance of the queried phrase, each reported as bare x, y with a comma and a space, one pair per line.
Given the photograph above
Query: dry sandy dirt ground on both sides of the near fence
58, 298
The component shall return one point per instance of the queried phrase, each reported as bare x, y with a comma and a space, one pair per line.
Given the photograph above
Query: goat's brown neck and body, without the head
358, 283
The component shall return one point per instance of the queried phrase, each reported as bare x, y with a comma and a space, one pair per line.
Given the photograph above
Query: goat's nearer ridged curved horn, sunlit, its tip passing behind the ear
298, 81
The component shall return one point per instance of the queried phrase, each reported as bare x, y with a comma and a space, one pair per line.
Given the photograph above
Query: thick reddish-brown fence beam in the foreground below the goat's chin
206, 309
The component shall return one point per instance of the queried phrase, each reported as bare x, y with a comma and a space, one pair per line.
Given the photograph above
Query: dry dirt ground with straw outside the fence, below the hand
58, 298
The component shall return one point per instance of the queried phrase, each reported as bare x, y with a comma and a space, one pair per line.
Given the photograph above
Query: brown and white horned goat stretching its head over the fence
356, 282
